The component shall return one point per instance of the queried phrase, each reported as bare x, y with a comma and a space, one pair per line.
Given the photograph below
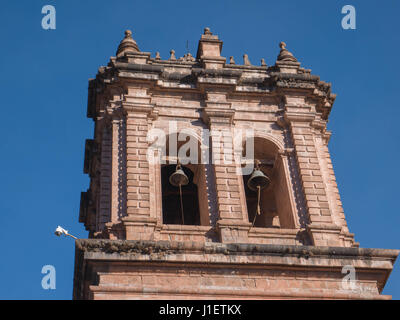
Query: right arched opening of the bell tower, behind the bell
275, 207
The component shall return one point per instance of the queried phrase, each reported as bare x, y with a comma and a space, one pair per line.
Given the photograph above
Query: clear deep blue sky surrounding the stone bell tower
44, 79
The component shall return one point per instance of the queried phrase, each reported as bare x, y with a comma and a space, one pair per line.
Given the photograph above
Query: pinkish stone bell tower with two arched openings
215, 237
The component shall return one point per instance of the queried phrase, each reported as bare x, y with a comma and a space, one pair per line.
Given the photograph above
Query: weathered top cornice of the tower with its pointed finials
188, 73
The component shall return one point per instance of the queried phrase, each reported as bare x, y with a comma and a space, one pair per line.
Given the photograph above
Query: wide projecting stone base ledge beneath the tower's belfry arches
289, 266
